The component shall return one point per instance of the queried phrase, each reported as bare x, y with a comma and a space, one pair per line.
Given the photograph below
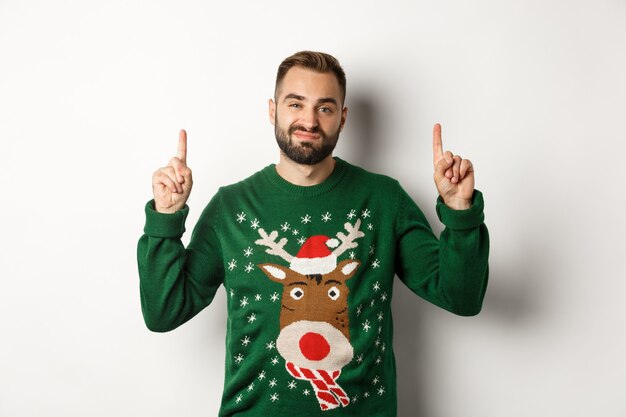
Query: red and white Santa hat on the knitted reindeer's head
315, 256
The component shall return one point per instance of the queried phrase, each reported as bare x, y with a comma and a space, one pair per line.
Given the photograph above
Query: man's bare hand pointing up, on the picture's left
171, 184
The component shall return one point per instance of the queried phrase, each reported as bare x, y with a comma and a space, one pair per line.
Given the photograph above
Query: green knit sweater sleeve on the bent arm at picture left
176, 283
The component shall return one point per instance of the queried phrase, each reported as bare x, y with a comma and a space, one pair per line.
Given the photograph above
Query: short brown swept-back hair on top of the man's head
316, 61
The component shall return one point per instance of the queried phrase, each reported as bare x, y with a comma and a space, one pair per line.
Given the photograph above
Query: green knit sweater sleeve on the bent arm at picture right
452, 271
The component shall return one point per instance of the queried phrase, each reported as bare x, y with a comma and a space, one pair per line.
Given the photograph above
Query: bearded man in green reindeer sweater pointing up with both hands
307, 251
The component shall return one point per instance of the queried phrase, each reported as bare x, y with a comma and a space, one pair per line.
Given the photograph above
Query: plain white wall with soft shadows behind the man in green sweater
93, 94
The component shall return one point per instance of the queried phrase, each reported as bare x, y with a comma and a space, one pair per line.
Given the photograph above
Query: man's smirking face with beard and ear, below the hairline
307, 115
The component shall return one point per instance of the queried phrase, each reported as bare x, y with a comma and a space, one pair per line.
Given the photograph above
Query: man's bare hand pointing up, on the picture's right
454, 176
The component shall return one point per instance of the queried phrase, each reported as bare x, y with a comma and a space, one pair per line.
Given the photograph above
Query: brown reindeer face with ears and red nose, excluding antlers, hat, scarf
314, 316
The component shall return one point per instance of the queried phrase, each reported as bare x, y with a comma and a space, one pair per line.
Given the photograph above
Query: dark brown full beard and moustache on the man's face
306, 153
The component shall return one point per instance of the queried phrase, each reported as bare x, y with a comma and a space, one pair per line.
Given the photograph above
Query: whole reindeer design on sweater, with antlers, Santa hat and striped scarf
314, 336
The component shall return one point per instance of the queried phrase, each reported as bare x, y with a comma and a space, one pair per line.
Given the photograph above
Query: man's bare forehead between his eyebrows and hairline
310, 84
